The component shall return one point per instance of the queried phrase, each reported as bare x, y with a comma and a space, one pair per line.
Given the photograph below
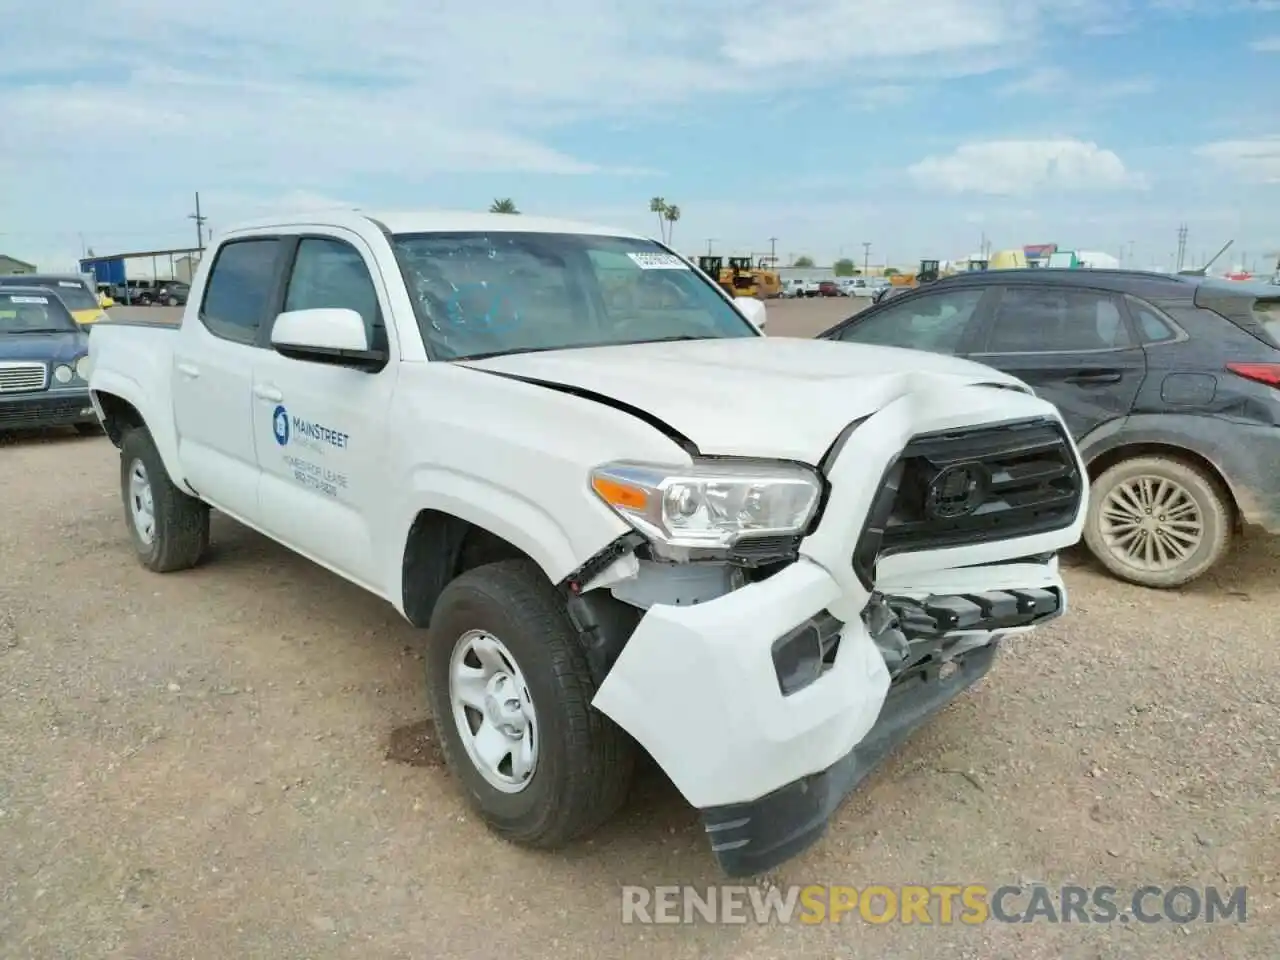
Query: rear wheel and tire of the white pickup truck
170, 528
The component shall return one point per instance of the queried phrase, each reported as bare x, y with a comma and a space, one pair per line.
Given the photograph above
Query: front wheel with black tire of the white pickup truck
511, 694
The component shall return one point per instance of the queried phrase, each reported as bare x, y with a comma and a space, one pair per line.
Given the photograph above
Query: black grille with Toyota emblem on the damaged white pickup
1026, 482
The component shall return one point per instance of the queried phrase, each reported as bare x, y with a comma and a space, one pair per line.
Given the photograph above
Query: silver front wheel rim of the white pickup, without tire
493, 711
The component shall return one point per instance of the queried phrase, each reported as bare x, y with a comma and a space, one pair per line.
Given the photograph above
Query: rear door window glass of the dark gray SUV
1048, 321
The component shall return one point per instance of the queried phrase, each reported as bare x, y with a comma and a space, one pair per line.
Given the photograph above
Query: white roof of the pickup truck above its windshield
431, 222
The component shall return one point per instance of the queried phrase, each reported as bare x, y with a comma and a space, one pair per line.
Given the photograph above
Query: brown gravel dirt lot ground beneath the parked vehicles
225, 764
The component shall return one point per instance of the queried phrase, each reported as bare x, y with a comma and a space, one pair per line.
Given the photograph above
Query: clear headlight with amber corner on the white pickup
711, 504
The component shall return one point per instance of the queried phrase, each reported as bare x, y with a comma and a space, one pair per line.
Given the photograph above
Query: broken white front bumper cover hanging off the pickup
698, 685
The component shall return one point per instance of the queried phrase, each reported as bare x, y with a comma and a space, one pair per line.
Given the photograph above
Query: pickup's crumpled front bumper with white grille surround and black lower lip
702, 689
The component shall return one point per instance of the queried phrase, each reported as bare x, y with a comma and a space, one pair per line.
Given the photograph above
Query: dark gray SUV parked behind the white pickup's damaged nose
1171, 386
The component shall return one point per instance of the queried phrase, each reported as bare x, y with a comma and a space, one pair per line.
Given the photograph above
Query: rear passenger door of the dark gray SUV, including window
1072, 345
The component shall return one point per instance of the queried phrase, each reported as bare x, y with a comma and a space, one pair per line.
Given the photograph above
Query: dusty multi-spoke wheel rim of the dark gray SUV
1151, 523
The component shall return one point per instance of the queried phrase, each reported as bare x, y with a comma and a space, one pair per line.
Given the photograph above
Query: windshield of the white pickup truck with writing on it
493, 294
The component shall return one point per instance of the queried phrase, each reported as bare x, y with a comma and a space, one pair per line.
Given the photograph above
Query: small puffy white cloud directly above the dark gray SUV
1016, 167
